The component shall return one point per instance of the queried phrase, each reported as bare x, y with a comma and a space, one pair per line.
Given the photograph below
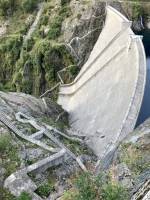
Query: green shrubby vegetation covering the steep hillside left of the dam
32, 67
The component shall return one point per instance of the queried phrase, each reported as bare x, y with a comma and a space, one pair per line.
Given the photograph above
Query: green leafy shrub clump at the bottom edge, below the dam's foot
89, 187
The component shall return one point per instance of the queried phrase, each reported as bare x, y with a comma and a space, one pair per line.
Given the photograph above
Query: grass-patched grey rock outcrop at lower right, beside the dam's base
131, 163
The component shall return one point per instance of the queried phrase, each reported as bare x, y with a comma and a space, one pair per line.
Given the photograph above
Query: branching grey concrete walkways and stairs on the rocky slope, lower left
20, 181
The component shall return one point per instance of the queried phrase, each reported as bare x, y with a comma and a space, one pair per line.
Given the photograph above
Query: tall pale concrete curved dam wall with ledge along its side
104, 100
